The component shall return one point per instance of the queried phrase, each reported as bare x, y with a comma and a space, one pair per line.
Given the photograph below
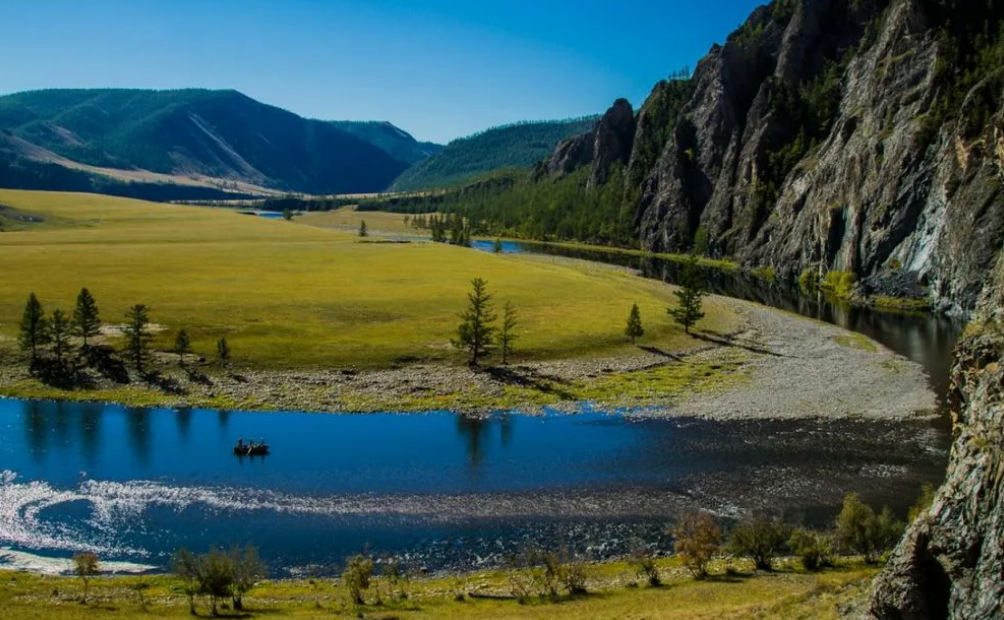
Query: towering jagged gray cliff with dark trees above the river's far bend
861, 136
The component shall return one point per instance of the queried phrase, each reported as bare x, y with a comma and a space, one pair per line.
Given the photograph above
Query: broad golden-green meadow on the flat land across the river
289, 295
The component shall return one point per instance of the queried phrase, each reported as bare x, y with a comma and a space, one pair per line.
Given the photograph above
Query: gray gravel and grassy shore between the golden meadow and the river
774, 366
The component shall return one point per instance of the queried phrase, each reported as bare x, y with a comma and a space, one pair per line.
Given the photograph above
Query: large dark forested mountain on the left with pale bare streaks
215, 138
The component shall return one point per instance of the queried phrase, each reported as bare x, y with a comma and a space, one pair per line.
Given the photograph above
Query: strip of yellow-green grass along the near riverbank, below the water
788, 594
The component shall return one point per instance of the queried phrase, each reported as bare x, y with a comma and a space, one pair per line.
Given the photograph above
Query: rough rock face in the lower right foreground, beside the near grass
950, 566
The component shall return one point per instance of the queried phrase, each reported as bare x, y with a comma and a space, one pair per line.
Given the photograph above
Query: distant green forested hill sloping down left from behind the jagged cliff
517, 146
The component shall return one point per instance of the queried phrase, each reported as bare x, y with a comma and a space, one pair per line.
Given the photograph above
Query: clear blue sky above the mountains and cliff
438, 69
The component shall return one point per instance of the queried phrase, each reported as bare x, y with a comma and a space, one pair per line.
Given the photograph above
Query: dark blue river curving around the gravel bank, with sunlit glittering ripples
440, 490
